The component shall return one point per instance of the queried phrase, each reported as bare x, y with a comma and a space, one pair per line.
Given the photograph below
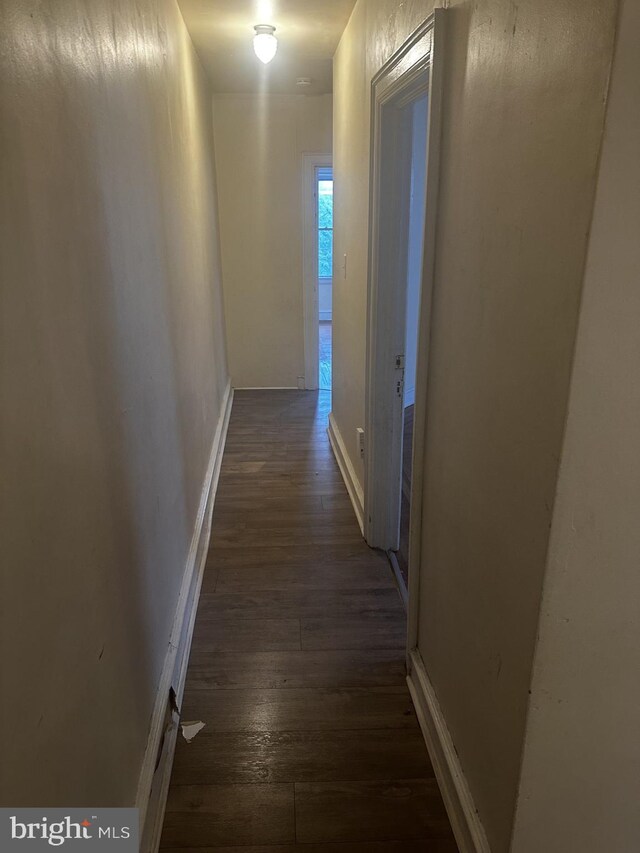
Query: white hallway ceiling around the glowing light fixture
308, 32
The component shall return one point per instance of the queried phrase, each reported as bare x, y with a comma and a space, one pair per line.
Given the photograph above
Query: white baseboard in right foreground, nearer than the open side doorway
466, 825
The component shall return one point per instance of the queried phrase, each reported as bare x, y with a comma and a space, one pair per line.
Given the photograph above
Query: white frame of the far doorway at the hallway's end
310, 163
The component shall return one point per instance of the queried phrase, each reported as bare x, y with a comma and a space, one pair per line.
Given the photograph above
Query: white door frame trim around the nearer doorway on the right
399, 78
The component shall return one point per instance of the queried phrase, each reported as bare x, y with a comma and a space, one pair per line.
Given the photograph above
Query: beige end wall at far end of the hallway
259, 147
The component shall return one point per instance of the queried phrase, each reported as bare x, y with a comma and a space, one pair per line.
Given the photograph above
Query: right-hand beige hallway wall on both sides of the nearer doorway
523, 113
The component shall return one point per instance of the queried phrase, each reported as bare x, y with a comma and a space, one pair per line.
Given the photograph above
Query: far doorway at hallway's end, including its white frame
317, 201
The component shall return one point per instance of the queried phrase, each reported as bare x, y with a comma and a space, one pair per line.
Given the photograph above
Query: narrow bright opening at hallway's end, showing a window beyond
324, 220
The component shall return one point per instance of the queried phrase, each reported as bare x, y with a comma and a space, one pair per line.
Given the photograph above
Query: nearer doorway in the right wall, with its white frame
405, 133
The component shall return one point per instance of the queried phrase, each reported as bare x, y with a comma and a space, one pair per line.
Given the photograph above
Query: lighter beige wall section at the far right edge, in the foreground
582, 757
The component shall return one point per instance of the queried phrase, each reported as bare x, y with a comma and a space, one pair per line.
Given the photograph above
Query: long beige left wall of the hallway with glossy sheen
113, 370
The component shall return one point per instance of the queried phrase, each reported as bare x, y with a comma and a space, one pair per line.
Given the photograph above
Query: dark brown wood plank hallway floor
311, 742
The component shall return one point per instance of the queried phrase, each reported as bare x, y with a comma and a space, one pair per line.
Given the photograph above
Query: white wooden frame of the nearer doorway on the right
422, 52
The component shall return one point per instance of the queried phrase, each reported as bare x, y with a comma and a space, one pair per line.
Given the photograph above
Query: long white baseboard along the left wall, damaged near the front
156, 769
